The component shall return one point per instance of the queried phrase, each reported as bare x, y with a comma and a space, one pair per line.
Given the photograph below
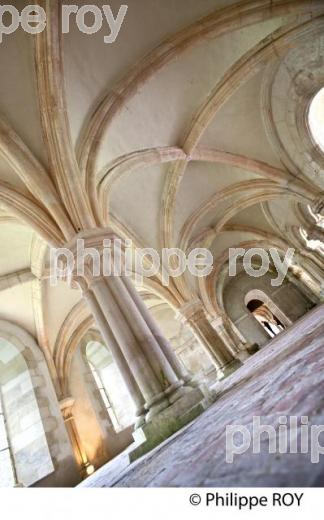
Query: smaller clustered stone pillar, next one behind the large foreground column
222, 357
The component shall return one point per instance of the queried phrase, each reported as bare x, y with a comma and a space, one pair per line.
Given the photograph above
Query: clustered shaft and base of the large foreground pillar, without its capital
169, 402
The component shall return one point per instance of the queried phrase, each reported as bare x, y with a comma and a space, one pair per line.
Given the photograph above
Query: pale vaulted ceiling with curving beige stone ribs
175, 135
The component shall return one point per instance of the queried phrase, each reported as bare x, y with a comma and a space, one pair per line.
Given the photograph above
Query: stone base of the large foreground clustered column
161, 426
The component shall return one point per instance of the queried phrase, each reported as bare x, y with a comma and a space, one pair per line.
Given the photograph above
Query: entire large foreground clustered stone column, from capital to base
145, 358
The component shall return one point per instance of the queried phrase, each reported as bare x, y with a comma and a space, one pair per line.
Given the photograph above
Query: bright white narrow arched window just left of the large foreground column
111, 386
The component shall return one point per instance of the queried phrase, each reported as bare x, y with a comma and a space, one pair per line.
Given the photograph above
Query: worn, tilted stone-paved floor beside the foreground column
286, 377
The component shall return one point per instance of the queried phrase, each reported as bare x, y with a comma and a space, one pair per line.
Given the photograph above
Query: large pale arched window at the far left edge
24, 453
